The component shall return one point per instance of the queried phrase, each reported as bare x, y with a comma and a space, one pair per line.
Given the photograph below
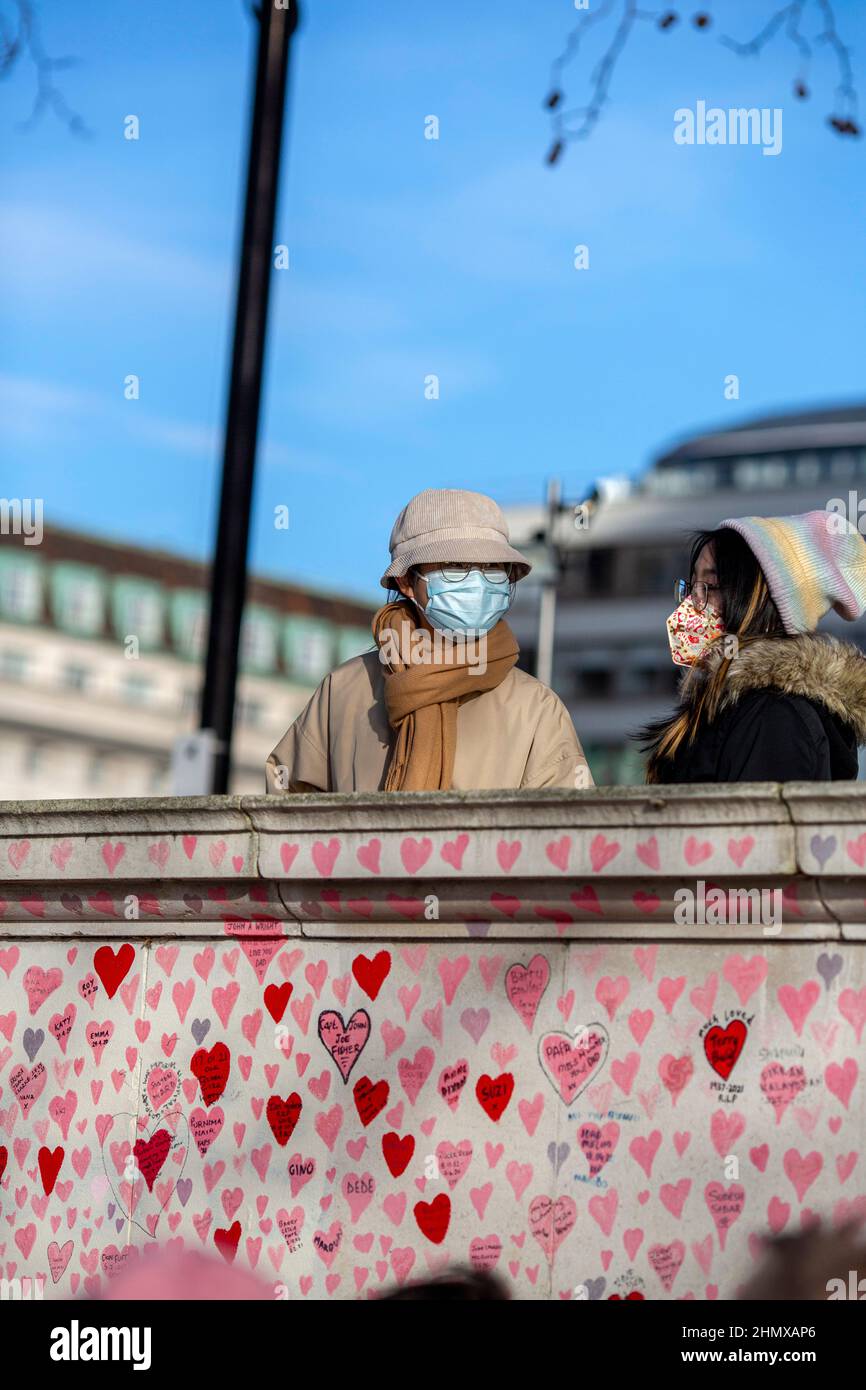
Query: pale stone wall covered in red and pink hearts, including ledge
348, 1040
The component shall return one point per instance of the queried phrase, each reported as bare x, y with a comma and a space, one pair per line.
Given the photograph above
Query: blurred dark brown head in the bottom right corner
811, 1267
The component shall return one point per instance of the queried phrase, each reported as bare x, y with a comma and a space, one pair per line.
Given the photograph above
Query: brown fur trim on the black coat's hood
817, 667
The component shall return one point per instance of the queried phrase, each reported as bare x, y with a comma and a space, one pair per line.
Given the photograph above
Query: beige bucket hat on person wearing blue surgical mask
451, 525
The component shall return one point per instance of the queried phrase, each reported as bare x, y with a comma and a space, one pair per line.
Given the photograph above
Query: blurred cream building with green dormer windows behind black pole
102, 662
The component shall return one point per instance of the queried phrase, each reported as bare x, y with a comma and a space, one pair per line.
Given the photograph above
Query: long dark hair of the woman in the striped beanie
750, 614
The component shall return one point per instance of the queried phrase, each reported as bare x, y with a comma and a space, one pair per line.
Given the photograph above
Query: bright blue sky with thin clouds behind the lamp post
408, 258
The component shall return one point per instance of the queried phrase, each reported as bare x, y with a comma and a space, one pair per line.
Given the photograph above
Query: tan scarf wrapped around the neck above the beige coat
422, 697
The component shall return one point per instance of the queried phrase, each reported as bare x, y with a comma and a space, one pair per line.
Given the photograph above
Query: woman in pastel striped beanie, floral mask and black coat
764, 697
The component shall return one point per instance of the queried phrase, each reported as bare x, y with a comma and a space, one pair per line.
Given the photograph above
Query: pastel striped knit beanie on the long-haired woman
812, 564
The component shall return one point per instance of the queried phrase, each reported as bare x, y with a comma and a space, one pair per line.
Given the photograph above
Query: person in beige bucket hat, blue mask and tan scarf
440, 701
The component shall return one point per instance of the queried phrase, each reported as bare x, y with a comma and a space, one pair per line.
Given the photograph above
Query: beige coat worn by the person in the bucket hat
519, 735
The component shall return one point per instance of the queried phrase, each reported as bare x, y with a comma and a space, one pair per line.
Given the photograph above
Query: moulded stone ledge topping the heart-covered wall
546, 865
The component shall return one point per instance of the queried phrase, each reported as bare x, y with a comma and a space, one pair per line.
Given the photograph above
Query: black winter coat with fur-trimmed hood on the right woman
793, 710
